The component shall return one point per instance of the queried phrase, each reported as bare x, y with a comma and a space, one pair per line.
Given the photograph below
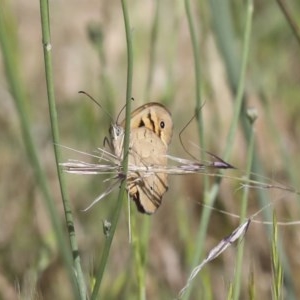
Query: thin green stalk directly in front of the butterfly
119, 203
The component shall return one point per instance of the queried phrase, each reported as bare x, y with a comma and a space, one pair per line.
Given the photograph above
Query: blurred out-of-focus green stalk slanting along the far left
8, 38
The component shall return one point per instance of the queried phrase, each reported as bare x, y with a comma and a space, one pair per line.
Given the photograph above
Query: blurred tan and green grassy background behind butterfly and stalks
89, 53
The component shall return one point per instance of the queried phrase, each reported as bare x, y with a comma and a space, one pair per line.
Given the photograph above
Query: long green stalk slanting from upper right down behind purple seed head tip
210, 196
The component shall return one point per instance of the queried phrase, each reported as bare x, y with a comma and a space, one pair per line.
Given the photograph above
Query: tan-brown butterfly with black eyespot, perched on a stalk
151, 129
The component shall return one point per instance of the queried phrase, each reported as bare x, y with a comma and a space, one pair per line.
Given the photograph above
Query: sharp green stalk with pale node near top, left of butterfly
45, 22
